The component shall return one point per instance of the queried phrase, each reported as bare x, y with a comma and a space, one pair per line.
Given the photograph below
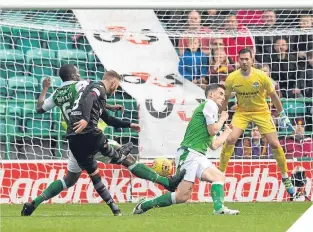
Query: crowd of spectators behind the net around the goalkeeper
286, 58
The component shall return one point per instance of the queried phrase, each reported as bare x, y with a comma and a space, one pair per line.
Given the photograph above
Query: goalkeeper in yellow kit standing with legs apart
251, 87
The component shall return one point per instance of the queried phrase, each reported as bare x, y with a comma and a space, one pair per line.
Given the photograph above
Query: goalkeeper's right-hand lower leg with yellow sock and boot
280, 157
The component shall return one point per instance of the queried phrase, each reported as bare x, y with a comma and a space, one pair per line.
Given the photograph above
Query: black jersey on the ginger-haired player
83, 102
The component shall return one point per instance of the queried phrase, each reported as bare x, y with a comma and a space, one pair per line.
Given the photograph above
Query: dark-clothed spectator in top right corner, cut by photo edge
304, 42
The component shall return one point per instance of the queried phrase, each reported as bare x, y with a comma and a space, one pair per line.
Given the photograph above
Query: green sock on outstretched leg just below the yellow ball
144, 172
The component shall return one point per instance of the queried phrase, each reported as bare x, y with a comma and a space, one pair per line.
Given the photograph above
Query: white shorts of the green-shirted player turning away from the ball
193, 162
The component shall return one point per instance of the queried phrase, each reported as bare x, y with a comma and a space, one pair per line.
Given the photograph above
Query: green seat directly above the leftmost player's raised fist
40, 62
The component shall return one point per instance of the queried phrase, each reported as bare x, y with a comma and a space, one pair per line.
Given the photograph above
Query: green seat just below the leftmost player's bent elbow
38, 125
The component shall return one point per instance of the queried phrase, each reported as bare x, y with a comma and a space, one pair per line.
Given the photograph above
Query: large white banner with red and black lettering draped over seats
126, 41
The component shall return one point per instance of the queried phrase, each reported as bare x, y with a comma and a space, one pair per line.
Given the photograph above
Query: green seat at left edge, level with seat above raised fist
11, 63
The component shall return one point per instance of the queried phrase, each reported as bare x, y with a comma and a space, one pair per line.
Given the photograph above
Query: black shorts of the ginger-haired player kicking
84, 147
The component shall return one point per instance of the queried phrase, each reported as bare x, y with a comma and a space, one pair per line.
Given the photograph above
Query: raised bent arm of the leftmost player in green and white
44, 104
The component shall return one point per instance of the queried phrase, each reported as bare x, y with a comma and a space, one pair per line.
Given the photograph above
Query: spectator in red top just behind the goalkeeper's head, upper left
242, 37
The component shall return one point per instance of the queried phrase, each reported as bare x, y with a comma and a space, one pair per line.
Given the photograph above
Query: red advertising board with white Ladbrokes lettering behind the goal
245, 182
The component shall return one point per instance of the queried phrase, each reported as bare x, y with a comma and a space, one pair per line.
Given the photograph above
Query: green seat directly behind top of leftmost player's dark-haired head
75, 57
